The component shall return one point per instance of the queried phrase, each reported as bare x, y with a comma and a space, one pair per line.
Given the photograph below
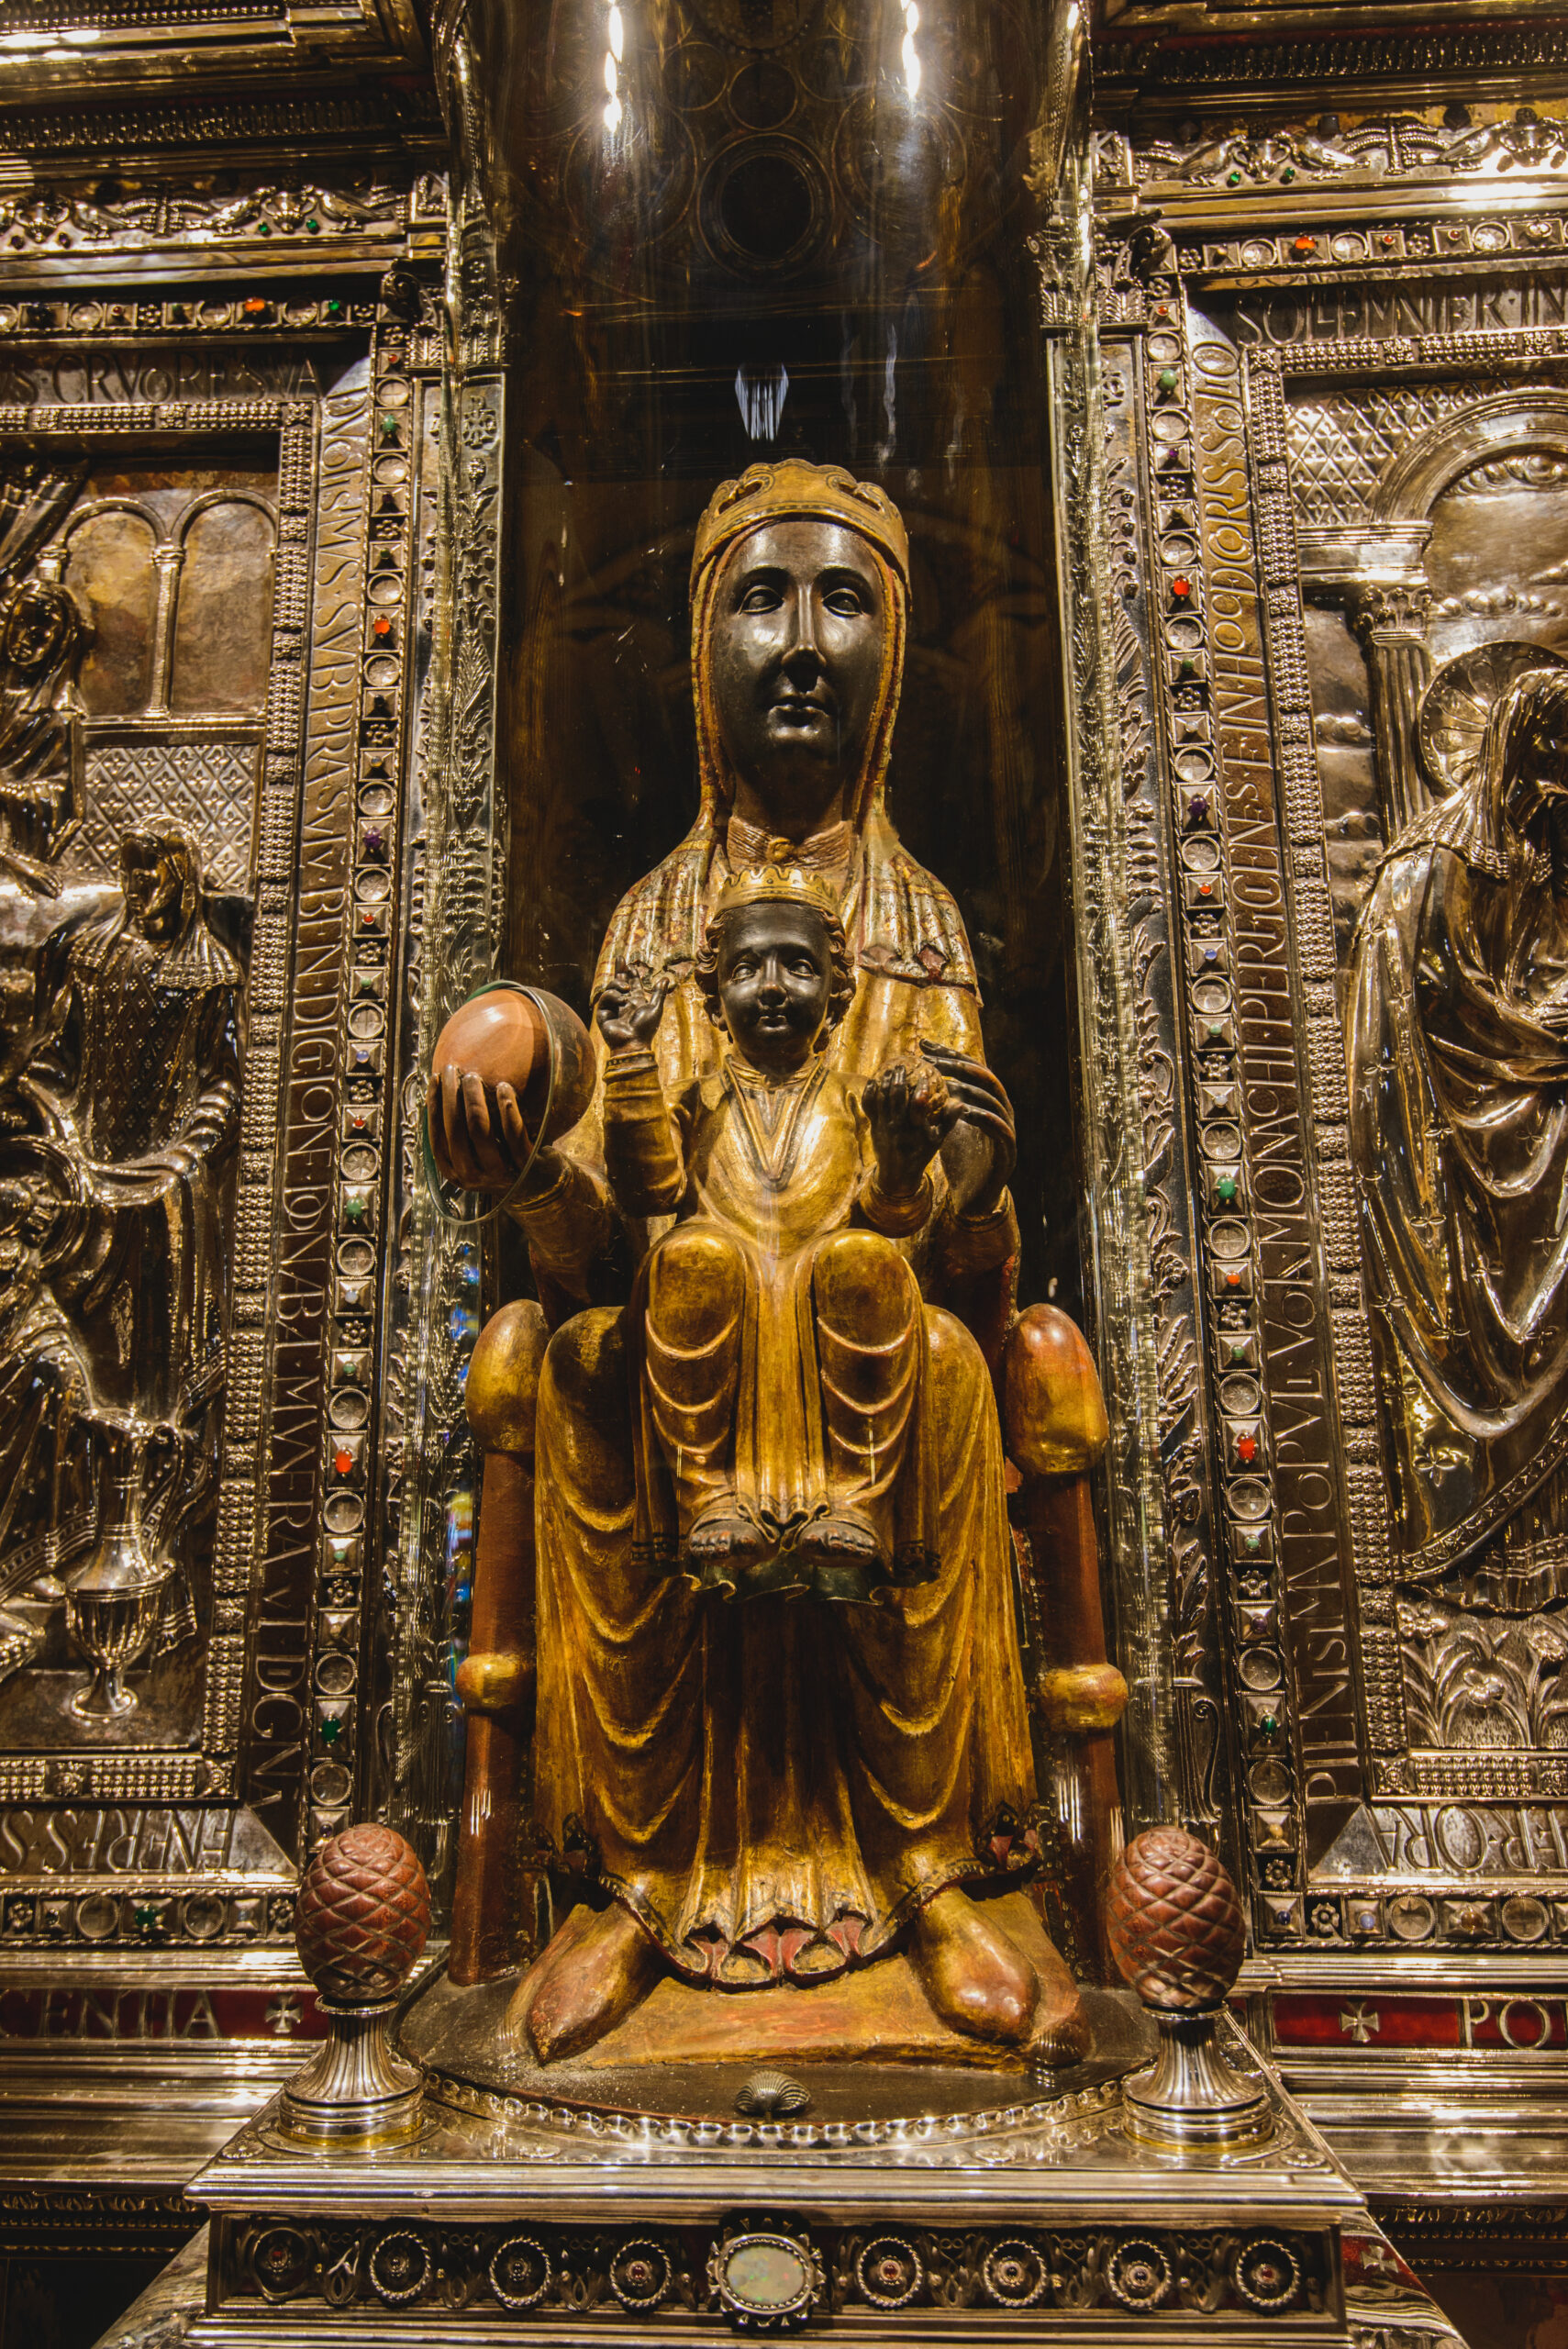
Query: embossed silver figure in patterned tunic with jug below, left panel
116, 1159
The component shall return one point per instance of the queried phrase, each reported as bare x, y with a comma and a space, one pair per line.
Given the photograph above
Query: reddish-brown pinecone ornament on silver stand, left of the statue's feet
363, 1916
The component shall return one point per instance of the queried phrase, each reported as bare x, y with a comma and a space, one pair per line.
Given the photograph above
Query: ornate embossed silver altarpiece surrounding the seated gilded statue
288, 701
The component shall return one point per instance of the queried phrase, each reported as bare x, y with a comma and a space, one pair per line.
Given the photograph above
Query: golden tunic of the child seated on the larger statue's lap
764, 1387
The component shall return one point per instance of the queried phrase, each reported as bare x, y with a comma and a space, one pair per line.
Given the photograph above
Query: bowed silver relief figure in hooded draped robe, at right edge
1459, 1126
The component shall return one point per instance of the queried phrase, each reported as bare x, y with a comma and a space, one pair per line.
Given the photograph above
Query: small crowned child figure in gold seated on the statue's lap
778, 1324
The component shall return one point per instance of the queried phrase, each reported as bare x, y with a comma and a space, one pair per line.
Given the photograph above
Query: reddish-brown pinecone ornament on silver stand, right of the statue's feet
1175, 1923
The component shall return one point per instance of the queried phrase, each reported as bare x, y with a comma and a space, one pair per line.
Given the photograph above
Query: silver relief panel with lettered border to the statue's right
1377, 553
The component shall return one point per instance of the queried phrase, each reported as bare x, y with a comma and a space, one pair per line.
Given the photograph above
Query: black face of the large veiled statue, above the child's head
797, 661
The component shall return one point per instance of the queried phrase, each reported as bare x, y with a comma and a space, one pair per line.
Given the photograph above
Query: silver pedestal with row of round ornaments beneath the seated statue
959, 2212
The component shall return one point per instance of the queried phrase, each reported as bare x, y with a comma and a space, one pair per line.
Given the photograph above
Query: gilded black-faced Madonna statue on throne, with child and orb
780, 1728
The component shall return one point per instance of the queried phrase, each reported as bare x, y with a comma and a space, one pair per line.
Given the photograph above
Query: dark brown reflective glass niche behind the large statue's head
748, 229
